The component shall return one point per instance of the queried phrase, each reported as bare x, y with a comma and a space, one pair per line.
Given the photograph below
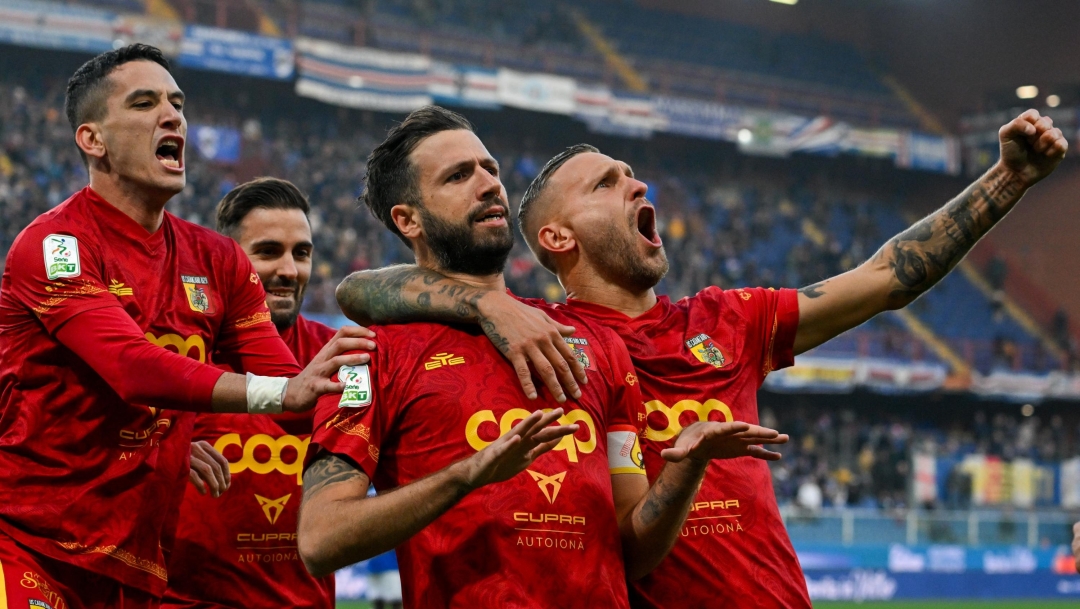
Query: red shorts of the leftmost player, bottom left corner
28, 579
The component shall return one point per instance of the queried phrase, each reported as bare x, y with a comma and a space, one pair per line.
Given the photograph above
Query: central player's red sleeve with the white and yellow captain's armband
626, 410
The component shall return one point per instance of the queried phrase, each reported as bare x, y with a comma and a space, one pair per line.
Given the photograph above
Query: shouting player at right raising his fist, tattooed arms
587, 220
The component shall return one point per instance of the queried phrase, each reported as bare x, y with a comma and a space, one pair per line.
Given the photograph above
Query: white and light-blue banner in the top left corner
48, 25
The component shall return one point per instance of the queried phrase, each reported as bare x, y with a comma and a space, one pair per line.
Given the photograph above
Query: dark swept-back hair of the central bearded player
391, 177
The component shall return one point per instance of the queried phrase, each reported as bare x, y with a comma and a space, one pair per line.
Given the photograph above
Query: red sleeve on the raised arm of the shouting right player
772, 320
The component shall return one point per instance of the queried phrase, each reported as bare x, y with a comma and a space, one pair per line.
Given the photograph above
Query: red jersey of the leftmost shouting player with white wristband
86, 477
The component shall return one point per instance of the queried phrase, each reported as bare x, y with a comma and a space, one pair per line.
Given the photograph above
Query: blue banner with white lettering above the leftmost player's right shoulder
237, 52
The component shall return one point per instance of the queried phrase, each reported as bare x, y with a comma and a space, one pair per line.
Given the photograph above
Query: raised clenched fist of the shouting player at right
1032, 147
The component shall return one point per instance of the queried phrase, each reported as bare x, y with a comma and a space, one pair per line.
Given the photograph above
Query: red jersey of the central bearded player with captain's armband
437, 395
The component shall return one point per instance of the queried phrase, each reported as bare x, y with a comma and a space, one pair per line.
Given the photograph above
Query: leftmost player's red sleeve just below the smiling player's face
249, 341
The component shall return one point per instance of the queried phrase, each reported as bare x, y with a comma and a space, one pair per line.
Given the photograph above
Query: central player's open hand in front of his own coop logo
517, 450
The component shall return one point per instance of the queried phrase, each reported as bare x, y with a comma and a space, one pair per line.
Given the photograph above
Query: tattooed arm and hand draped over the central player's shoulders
523, 334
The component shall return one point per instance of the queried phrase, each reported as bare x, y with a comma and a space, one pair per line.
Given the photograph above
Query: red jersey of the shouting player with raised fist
706, 358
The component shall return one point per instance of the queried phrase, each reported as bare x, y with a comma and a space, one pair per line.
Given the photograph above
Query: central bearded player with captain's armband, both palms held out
488, 505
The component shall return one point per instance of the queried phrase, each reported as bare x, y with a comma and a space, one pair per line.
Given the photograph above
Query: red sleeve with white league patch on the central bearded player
354, 424
